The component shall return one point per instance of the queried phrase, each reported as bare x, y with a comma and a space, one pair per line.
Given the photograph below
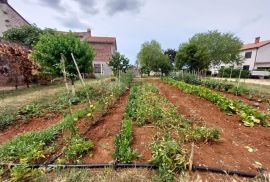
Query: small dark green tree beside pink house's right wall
119, 63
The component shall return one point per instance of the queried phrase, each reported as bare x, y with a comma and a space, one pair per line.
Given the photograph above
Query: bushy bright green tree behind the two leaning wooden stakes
48, 52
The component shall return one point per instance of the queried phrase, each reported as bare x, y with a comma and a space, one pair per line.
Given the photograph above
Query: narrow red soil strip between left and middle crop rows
104, 131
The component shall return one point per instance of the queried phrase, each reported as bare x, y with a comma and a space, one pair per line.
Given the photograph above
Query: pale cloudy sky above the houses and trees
133, 22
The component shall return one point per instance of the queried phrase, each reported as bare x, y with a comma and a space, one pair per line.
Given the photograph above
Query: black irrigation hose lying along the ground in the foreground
138, 165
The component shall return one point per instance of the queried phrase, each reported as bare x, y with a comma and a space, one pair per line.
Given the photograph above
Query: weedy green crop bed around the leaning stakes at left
61, 142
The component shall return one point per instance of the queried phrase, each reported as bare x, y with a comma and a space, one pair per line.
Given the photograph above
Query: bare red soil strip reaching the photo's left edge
34, 124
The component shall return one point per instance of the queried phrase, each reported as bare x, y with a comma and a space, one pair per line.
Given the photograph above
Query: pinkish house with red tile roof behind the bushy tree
104, 48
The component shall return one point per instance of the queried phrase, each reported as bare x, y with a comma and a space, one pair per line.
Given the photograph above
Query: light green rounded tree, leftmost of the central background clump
150, 56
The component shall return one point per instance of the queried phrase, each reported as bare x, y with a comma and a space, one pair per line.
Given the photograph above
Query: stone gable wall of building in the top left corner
9, 17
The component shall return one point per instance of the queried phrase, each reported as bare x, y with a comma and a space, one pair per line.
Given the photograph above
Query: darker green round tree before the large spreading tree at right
192, 57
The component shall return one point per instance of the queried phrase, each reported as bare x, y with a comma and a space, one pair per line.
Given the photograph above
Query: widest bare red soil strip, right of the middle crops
240, 147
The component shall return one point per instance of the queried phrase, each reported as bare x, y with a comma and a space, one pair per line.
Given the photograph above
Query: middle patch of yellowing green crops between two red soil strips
146, 106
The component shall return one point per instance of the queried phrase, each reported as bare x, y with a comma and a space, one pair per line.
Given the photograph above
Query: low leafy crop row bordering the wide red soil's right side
249, 115
